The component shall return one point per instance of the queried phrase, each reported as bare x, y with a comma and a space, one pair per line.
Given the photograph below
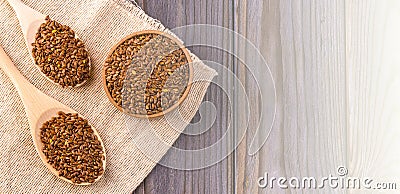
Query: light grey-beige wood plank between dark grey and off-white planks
259, 22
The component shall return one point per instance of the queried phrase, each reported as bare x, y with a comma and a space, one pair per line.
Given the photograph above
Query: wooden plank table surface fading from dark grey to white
334, 63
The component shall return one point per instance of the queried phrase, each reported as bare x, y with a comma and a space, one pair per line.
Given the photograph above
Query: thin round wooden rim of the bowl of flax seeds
185, 93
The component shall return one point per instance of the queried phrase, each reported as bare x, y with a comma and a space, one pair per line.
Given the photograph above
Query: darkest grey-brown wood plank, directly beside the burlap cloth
216, 178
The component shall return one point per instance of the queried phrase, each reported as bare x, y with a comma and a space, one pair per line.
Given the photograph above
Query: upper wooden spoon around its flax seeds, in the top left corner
30, 21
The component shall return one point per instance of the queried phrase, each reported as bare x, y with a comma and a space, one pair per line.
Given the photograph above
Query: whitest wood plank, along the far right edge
373, 62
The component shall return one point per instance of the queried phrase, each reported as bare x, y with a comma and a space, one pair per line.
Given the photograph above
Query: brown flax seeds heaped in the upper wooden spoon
60, 55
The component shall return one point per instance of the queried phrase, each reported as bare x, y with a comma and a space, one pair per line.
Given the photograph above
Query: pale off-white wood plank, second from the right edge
314, 88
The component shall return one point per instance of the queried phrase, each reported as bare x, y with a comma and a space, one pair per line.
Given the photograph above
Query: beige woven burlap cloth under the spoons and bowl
101, 24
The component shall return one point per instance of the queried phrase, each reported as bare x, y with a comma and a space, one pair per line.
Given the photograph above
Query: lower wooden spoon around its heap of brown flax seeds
39, 108
